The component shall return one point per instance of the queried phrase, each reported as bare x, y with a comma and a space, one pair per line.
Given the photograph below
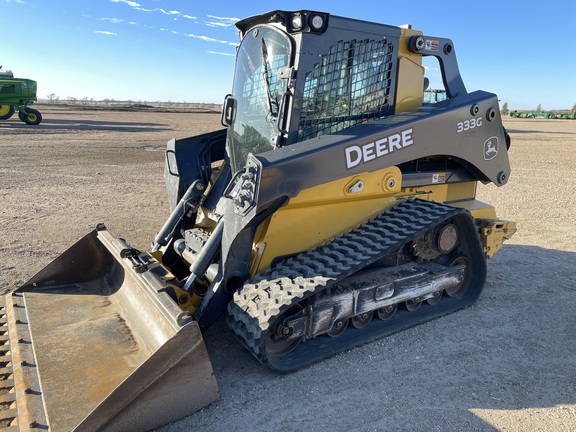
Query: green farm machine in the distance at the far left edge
16, 94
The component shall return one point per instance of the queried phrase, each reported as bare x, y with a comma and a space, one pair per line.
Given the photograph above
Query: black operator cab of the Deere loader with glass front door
290, 85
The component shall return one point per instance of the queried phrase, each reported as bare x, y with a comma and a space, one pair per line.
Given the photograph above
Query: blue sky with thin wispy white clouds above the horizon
183, 50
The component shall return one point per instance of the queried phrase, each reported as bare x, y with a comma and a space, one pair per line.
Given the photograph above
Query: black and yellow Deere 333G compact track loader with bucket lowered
335, 208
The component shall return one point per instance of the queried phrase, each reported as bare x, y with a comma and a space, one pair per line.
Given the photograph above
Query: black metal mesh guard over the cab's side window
350, 85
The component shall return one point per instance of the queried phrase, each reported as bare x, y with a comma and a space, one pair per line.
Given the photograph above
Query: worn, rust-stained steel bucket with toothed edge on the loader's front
95, 342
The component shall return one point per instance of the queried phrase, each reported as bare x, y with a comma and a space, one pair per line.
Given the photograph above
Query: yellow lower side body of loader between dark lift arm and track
322, 212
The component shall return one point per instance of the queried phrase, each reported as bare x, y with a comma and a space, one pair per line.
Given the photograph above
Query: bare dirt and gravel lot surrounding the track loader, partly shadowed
508, 363
